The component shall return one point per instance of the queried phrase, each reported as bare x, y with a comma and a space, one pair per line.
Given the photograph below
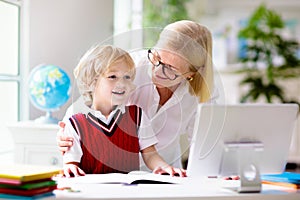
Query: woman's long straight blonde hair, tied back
193, 42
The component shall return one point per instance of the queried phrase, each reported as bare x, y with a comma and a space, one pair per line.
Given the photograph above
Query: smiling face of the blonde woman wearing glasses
178, 67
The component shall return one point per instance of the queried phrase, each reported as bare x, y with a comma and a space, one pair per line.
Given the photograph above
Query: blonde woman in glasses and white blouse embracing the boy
169, 92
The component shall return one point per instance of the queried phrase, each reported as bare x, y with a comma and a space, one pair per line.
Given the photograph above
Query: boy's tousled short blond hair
94, 63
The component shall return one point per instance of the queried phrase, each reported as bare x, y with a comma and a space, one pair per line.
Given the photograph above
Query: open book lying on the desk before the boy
118, 178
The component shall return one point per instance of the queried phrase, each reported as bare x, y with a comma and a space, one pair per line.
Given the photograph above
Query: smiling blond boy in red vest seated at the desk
108, 139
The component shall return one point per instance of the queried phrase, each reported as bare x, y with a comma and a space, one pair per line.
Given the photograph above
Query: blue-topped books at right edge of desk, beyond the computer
286, 179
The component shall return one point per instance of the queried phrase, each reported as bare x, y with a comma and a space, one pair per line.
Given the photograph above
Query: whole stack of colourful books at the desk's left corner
18, 181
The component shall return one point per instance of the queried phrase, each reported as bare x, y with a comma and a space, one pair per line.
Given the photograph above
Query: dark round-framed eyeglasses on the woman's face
167, 70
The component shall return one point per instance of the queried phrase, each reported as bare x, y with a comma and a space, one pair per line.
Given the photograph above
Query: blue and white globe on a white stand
49, 89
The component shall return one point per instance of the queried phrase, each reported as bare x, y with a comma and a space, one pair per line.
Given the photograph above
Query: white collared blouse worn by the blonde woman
174, 118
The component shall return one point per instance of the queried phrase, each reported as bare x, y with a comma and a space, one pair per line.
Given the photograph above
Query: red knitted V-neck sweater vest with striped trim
112, 148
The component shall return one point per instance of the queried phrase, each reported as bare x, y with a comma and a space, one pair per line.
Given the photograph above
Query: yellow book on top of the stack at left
25, 173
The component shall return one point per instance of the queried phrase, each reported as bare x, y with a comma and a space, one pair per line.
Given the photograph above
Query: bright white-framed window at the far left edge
9, 65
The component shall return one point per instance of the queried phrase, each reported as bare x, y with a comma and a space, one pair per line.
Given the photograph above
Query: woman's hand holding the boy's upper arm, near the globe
64, 142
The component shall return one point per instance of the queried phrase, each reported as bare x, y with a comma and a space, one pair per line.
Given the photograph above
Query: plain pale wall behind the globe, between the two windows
60, 31
